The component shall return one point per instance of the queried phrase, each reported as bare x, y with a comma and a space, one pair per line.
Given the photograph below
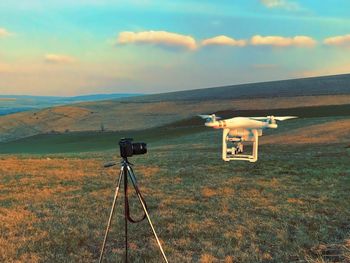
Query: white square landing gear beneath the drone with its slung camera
236, 151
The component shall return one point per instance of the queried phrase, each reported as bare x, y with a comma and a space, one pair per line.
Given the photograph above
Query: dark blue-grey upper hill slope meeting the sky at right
326, 85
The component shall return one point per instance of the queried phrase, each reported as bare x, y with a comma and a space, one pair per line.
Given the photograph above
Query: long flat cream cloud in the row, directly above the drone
278, 41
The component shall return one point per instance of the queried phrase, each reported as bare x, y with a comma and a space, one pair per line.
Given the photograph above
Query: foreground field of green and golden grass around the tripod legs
290, 206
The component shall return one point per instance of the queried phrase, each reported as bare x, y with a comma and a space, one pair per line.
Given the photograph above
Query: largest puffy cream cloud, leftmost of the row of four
157, 38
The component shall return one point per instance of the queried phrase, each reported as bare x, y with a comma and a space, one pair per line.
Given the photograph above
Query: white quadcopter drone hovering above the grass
242, 129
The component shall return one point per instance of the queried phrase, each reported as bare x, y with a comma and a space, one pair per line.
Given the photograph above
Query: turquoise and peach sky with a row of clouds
65, 48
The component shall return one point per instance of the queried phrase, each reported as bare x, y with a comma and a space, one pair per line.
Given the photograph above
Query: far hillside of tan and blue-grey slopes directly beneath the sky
143, 112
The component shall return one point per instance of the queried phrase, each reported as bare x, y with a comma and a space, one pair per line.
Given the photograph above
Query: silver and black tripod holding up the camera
125, 172
